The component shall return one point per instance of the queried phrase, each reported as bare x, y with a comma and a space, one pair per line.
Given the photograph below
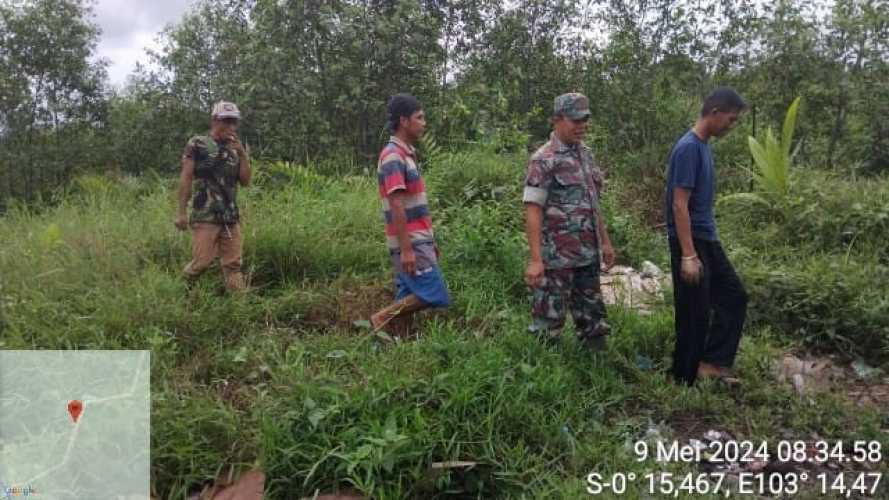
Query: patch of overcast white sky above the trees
128, 27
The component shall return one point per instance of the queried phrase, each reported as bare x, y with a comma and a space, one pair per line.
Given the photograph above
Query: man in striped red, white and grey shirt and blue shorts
412, 250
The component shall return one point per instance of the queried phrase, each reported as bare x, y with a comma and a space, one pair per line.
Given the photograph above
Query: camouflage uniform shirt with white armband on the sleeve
565, 181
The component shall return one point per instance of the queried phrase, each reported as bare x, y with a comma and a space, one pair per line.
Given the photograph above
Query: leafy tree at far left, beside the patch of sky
52, 102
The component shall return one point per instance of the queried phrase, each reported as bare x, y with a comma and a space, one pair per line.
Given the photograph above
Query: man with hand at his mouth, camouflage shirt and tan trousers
212, 167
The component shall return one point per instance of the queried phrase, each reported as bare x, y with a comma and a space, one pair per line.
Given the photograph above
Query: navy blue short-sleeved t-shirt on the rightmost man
691, 167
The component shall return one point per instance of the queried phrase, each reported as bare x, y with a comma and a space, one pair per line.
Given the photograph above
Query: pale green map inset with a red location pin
46, 454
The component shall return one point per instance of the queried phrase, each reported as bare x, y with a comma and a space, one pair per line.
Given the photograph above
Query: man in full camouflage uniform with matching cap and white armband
565, 230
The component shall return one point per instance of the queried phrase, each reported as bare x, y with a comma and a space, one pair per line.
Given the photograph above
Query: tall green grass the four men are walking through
278, 379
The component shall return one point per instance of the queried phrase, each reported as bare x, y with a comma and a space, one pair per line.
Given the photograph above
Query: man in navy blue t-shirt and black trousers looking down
709, 299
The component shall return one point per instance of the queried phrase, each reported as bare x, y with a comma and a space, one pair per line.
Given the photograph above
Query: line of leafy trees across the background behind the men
312, 78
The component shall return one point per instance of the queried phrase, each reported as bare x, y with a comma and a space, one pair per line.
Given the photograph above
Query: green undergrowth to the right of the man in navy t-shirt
816, 262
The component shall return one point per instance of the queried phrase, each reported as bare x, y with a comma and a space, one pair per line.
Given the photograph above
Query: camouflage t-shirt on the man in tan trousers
215, 186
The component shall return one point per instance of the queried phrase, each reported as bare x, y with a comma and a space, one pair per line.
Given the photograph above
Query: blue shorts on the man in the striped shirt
427, 283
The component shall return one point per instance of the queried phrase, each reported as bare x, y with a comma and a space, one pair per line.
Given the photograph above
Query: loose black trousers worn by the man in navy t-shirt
710, 314
